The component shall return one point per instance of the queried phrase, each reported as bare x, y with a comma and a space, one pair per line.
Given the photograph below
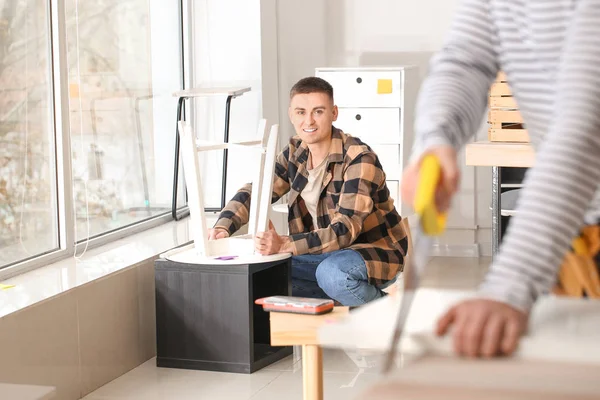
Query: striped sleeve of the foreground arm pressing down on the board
561, 185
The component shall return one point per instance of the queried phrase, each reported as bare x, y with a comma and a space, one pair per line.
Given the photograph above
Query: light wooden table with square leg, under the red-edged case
297, 329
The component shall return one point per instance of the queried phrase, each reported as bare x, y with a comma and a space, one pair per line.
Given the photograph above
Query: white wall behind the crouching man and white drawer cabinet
336, 33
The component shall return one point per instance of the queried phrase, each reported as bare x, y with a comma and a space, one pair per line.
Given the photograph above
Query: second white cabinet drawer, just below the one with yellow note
371, 125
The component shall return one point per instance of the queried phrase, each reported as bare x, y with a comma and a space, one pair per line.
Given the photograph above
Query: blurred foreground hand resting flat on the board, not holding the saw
484, 327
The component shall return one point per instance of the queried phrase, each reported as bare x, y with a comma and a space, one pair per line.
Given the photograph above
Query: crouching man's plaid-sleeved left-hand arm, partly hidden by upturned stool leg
237, 211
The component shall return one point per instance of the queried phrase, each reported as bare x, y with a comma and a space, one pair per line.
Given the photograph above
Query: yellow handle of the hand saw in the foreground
432, 222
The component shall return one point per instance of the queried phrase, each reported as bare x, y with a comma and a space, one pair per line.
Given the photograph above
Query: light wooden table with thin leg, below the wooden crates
496, 155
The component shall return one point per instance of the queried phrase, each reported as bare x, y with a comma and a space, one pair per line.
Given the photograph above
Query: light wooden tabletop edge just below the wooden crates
497, 154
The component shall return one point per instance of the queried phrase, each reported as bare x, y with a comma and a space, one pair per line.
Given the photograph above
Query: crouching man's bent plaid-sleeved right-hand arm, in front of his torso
362, 179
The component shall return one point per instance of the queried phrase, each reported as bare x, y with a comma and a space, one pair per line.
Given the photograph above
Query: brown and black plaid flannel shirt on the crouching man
355, 209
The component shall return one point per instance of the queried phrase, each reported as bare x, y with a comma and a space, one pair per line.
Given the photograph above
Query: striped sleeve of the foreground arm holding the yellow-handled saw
453, 97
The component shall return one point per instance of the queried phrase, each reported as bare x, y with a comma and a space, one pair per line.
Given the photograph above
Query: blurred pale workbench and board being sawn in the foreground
557, 358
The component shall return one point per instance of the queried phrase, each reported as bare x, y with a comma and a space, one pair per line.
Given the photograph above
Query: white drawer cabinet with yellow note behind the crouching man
376, 104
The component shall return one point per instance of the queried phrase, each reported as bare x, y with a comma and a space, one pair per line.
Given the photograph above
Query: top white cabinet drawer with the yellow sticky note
360, 88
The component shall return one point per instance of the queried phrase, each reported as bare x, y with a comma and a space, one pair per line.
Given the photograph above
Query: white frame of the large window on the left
67, 245
